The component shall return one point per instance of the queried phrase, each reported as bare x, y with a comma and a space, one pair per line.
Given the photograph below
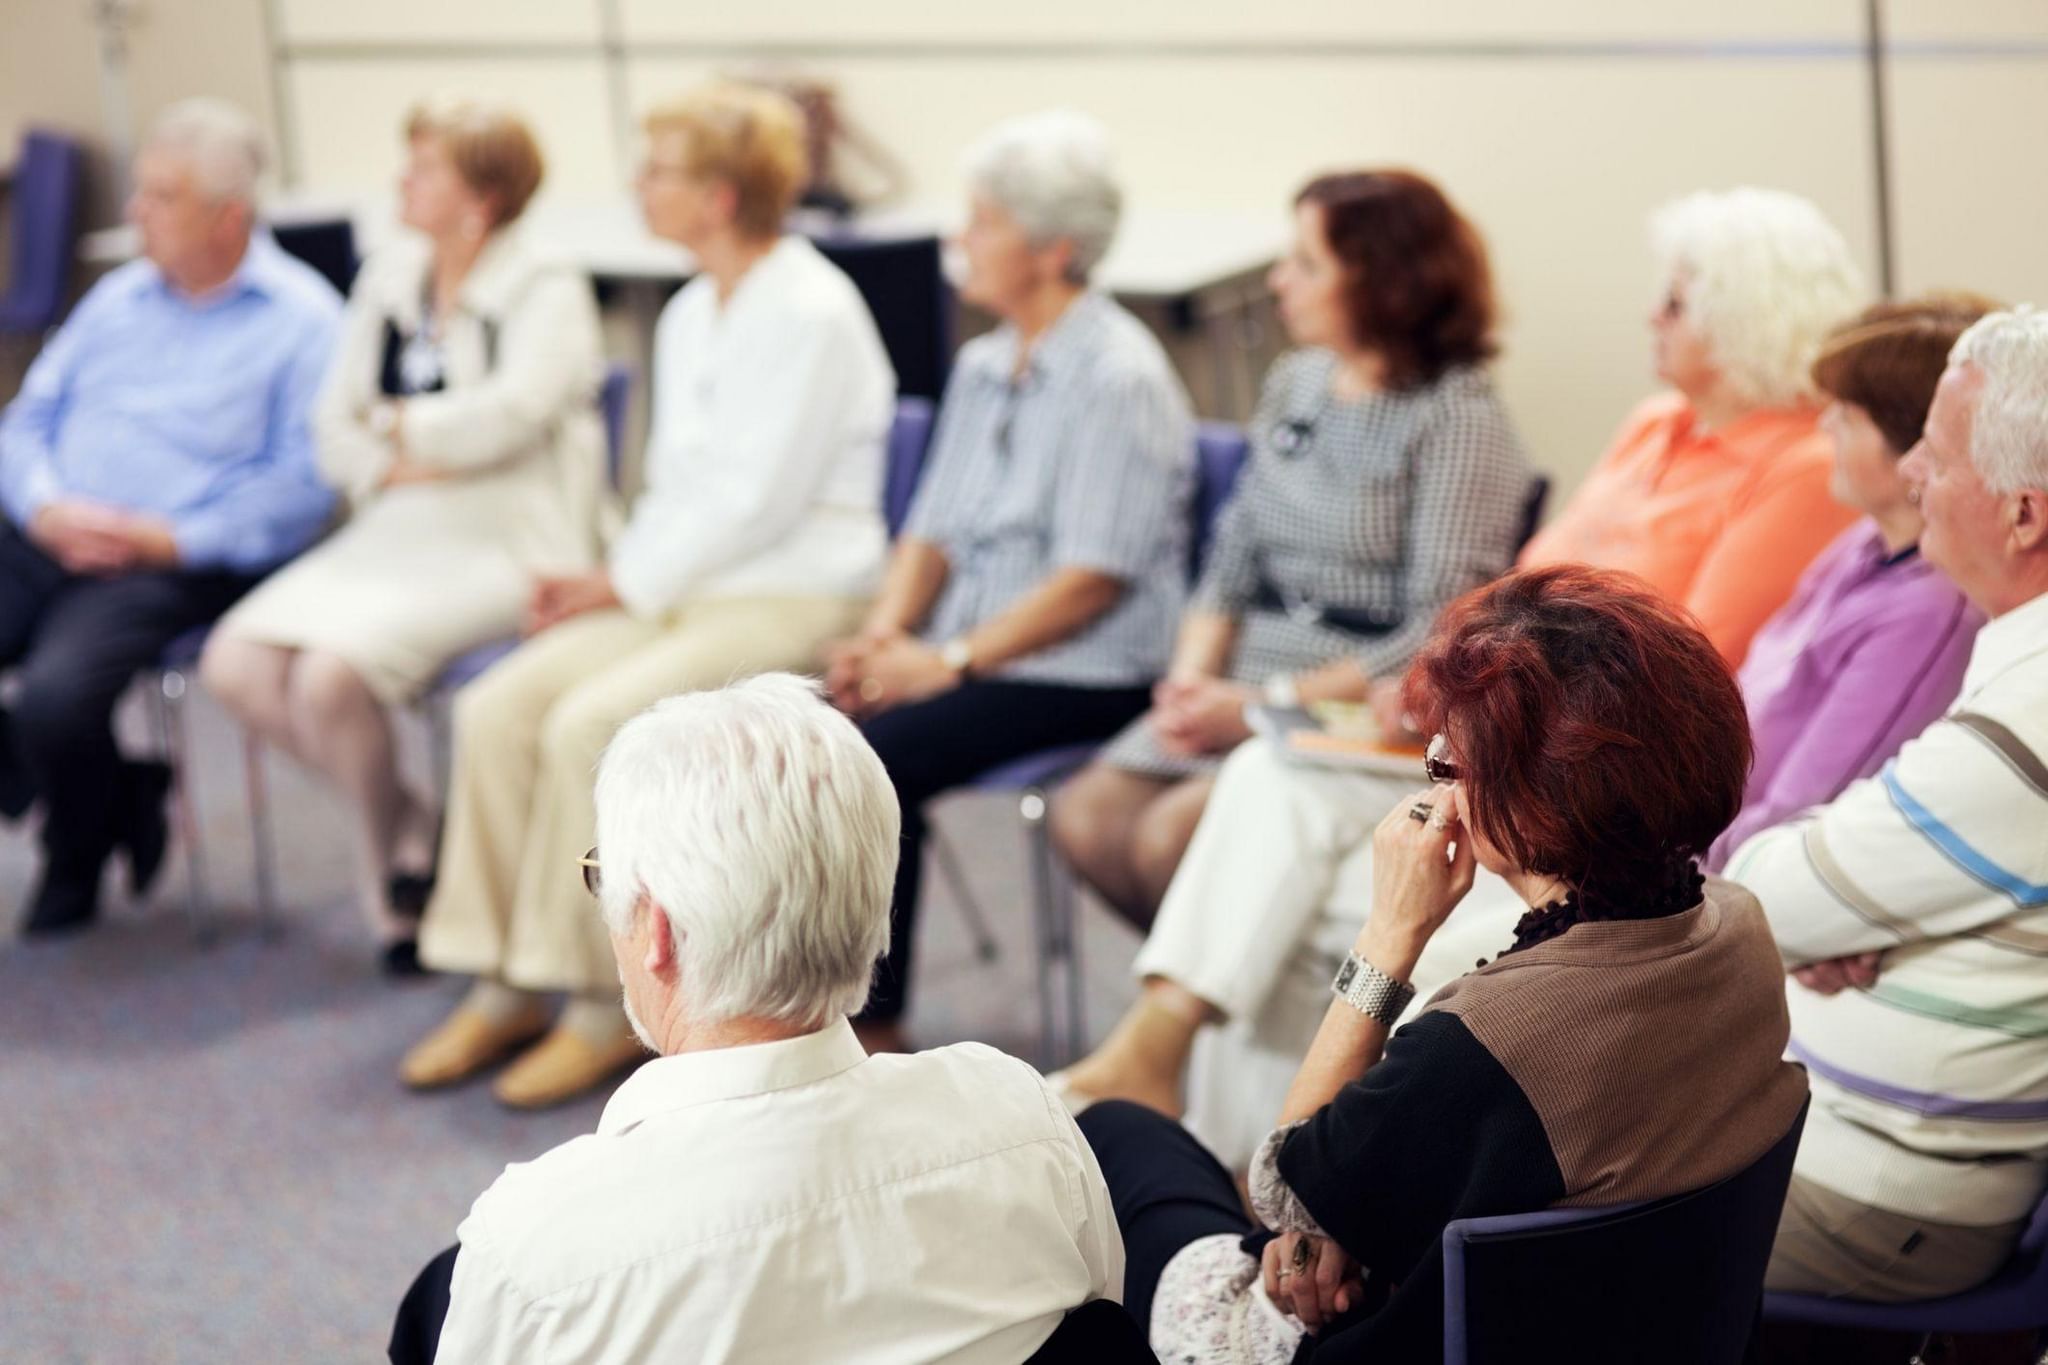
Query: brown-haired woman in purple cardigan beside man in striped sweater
1873, 644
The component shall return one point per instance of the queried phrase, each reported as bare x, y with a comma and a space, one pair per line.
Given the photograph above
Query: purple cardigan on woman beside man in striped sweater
1869, 652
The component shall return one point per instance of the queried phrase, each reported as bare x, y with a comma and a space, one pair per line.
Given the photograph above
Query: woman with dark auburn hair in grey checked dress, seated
1385, 480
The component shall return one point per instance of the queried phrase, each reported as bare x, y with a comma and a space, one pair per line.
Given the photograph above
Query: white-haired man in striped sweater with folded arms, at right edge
1914, 910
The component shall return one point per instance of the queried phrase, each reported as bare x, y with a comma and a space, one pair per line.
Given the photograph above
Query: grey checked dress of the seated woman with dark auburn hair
1392, 504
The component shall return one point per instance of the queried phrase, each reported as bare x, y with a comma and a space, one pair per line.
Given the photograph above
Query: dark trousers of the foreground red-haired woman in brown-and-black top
1166, 1192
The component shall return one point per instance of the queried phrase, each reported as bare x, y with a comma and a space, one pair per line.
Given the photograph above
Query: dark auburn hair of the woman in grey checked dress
1420, 290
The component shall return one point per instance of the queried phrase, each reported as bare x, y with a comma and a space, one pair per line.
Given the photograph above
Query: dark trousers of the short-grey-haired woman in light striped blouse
931, 748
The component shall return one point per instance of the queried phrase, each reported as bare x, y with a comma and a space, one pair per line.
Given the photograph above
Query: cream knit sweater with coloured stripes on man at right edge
1930, 1090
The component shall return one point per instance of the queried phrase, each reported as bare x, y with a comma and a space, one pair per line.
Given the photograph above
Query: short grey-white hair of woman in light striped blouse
1054, 173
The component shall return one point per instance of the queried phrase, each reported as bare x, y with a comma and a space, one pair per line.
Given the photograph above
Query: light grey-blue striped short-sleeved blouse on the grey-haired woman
1084, 464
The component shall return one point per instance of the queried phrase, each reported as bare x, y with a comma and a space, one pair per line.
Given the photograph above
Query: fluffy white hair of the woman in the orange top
1766, 279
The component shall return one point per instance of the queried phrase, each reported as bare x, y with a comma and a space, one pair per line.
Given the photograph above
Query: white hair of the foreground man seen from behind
767, 830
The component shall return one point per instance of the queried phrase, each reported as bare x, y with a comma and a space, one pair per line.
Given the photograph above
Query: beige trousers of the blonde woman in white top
509, 897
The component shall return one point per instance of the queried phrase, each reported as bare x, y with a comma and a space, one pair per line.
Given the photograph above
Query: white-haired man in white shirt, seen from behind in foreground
765, 1190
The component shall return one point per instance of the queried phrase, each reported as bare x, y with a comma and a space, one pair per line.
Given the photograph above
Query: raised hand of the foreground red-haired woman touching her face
1420, 873
